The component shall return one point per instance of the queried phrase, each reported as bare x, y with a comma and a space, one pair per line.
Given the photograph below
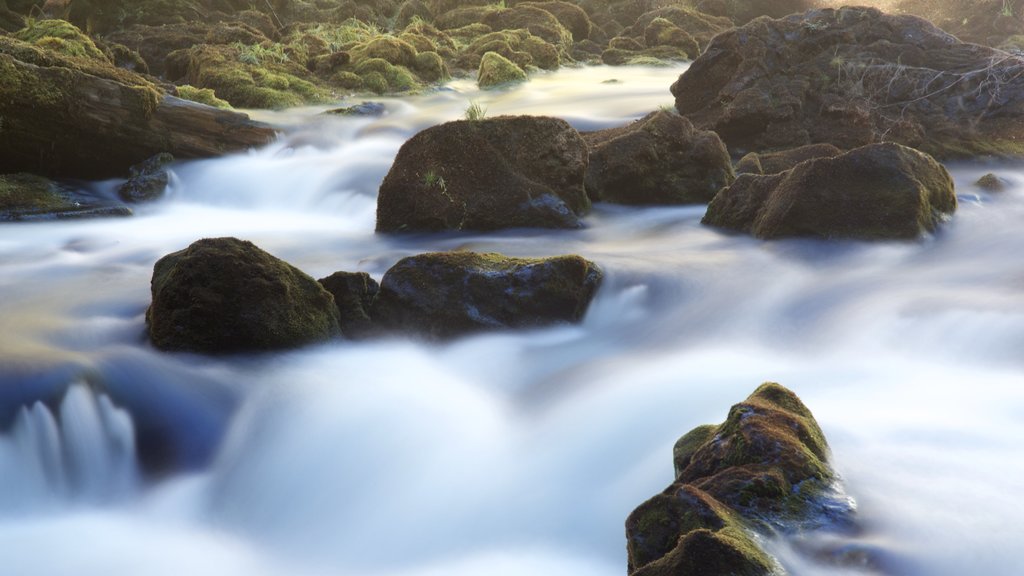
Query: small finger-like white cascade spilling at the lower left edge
84, 452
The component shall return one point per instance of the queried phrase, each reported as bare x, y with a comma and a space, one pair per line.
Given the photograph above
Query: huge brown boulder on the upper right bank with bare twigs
855, 76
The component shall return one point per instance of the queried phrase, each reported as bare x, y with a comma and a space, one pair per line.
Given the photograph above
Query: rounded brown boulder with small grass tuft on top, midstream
487, 175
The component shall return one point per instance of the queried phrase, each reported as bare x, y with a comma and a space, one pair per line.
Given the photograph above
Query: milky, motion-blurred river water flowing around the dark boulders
508, 455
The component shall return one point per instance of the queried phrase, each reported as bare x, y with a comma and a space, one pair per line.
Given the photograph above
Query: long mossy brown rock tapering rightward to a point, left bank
65, 116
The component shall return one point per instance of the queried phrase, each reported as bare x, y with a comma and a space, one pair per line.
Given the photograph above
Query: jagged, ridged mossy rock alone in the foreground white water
765, 466
